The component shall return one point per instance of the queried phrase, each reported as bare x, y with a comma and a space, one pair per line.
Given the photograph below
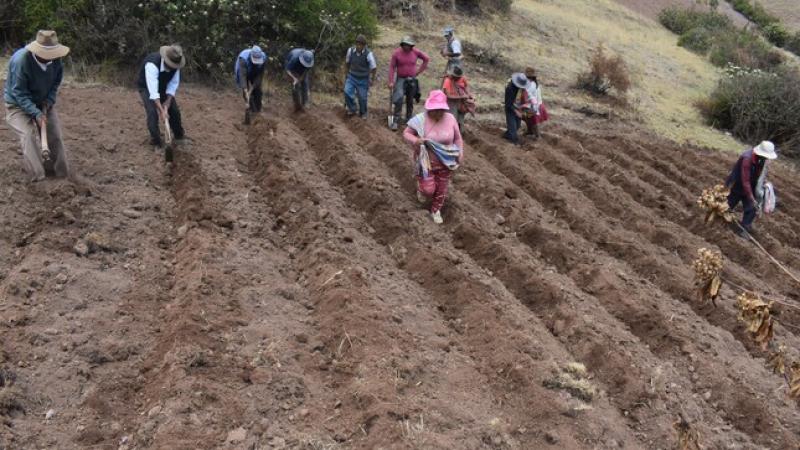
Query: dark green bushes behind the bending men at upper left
211, 31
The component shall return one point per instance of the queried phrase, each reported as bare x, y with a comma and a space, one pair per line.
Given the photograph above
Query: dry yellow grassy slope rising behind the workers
557, 36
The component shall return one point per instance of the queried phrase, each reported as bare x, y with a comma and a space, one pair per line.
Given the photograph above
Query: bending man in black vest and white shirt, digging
158, 83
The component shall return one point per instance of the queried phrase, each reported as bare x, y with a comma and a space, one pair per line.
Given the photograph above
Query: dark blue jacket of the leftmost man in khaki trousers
28, 86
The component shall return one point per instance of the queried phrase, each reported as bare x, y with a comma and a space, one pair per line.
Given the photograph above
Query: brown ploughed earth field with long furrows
280, 287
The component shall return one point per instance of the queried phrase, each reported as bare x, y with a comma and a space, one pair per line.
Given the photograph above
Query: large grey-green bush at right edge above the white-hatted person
756, 105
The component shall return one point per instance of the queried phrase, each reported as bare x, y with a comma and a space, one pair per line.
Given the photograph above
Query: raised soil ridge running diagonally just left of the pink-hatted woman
443, 270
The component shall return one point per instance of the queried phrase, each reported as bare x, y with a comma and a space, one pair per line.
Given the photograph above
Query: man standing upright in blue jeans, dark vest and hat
361, 71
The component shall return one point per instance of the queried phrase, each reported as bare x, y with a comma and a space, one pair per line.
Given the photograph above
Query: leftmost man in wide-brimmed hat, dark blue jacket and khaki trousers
34, 76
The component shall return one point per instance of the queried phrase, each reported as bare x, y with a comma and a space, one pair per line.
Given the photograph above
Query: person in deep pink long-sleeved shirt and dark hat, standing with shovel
404, 65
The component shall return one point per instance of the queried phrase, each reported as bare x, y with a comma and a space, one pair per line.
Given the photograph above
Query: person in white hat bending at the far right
743, 180
